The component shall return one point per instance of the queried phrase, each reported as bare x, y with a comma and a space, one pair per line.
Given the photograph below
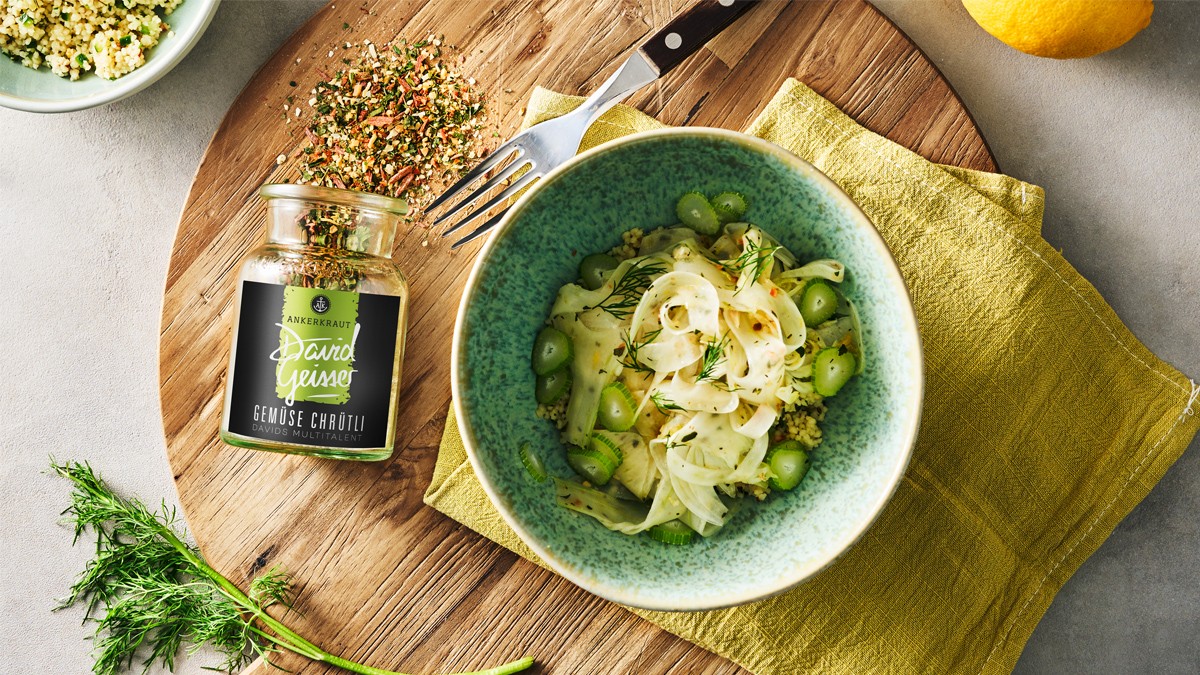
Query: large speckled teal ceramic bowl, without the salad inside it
584, 207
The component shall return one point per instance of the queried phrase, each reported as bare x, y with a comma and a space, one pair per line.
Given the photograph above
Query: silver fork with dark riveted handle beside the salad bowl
549, 145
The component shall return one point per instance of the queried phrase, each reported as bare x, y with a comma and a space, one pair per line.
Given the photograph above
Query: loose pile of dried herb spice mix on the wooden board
394, 122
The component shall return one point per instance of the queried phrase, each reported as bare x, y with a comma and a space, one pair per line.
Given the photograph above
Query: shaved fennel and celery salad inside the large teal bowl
688, 368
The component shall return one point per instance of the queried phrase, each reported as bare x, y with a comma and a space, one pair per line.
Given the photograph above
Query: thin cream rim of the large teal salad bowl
835, 549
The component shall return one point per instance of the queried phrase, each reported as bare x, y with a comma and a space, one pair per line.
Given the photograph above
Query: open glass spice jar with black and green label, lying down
319, 333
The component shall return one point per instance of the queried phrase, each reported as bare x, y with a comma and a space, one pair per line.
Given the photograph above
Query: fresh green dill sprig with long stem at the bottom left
151, 593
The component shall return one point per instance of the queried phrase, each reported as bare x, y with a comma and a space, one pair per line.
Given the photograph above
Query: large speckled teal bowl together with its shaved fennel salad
687, 371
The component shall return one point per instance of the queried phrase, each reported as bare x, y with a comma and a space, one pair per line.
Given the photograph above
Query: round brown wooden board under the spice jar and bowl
382, 578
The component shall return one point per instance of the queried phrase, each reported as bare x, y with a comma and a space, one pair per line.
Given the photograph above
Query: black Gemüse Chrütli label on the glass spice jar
314, 367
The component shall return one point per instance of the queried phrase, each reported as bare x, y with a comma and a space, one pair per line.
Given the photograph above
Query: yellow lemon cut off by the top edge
1063, 29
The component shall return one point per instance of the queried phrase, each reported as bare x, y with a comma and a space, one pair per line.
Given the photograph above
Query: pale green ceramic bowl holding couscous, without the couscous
43, 92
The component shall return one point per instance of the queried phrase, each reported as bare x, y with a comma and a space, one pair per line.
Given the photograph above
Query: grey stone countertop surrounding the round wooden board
91, 204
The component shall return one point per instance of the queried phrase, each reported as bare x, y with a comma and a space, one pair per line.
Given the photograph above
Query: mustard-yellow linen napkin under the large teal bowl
1046, 423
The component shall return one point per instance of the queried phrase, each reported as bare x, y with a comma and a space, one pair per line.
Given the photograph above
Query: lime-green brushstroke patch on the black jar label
317, 336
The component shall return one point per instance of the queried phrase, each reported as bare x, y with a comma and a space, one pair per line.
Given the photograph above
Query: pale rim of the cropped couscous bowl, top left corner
160, 63
